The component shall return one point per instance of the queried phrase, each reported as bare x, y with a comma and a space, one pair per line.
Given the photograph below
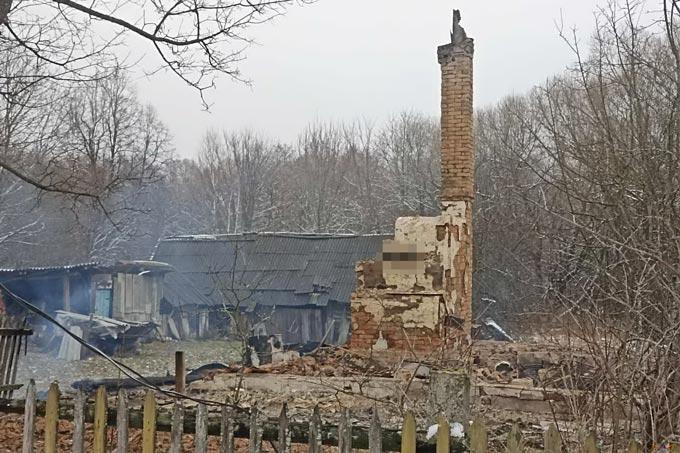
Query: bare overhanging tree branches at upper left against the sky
74, 42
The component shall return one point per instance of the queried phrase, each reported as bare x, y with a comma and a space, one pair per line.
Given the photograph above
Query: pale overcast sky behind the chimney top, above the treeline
347, 59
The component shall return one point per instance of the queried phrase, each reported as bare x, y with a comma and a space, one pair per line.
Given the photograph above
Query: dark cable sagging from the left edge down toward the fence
125, 369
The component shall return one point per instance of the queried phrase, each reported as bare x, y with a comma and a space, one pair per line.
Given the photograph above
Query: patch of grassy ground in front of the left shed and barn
154, 359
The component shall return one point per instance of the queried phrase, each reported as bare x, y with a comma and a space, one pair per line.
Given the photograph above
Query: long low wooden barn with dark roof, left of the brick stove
293, 284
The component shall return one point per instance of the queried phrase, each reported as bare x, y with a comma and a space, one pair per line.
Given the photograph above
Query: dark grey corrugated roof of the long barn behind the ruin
287, 269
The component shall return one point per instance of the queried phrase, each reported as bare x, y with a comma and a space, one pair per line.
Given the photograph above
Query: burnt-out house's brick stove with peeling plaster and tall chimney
418, 296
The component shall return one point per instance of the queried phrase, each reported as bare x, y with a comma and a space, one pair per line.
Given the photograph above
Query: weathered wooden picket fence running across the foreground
374, 438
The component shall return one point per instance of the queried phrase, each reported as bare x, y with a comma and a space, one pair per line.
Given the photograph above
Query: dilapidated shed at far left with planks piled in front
112, 306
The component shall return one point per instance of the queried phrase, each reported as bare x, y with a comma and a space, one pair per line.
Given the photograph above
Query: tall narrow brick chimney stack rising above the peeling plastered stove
457, 151
